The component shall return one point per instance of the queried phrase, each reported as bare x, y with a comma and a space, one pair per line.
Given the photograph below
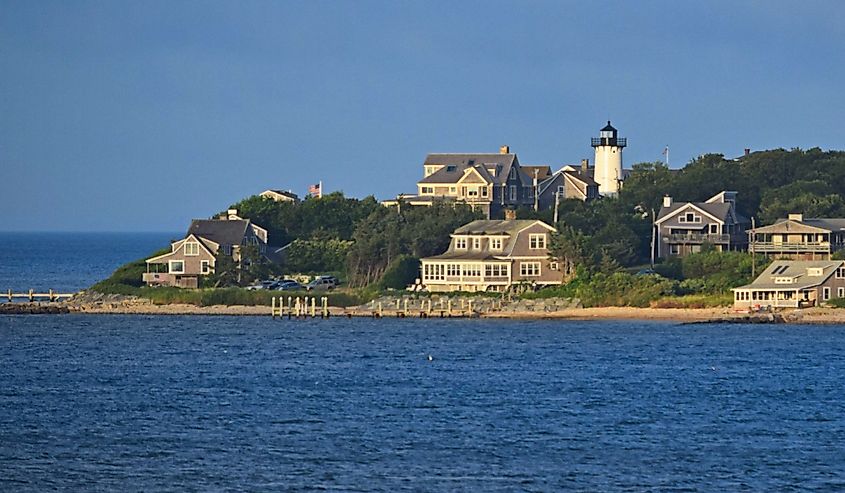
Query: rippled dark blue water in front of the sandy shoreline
146, 403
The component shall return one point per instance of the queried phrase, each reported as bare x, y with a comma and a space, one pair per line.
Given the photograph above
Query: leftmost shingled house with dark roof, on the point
194, 256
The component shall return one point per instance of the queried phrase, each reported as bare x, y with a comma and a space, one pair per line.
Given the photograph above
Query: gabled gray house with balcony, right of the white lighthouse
684, 227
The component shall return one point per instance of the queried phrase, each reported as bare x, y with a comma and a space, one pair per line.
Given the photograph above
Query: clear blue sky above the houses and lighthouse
140, 116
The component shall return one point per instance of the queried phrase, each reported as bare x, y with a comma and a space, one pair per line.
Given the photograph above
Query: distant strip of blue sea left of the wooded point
69, 262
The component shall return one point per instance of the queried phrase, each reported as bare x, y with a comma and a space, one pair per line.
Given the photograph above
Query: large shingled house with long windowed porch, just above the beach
492, 255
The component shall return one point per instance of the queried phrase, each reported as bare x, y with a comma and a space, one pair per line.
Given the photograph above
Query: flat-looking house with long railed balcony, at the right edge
799, 238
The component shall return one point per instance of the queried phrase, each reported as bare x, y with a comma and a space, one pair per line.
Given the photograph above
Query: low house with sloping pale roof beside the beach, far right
794, 284
